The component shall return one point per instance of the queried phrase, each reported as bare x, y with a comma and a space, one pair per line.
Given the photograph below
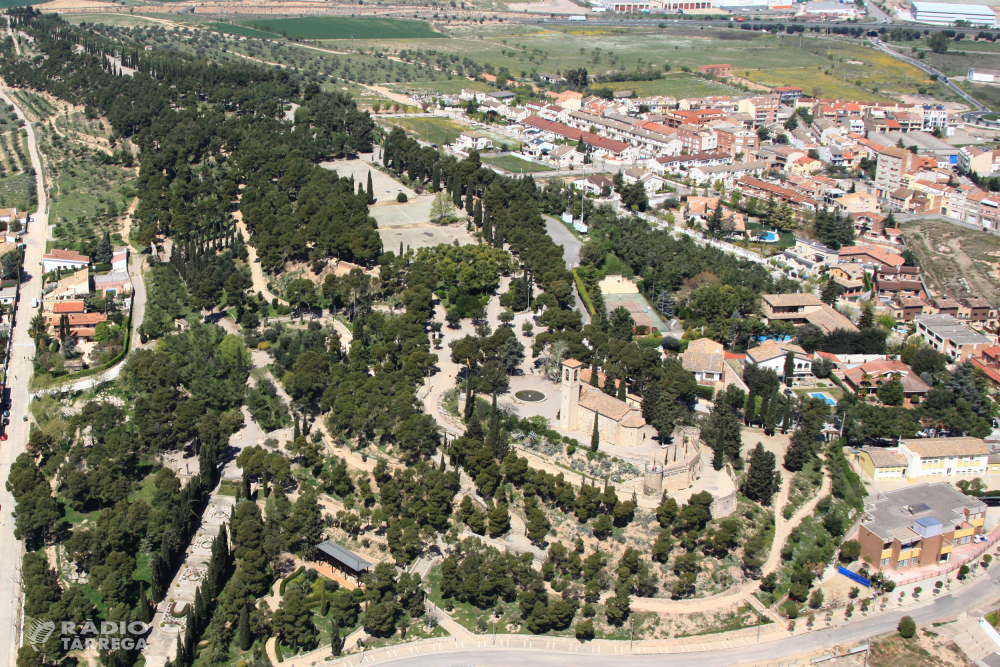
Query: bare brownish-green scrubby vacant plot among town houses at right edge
956, 261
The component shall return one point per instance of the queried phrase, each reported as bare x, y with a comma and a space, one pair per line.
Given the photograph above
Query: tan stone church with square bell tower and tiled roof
618, 422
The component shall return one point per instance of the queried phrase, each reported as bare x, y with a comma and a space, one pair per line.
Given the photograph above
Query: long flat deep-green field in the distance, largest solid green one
336, 27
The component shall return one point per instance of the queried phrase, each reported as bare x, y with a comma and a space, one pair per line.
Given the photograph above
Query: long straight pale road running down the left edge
19, 370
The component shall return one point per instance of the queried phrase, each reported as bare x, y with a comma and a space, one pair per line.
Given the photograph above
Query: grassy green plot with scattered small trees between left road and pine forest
86, 181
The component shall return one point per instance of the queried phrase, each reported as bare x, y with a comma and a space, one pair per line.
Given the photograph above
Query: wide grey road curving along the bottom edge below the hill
982, 590
